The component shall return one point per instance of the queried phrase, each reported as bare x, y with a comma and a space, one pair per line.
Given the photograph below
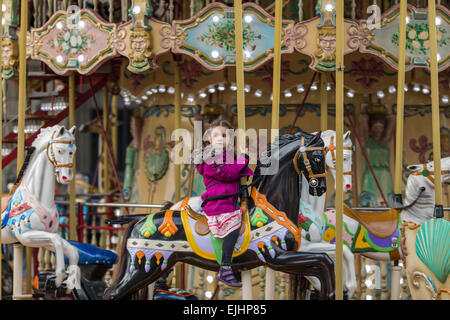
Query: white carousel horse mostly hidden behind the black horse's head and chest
312, 208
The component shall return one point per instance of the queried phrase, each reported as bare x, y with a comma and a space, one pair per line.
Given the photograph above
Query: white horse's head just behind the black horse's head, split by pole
329, 138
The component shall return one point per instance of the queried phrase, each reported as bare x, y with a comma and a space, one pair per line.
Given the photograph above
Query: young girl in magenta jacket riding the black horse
221, 174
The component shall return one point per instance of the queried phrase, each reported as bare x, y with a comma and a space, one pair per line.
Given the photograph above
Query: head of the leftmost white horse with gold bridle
61, 152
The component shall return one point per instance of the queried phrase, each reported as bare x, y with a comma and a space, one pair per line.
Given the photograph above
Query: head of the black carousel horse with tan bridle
310, 160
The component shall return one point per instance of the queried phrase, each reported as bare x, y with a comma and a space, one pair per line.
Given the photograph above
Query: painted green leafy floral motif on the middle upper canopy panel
222, 36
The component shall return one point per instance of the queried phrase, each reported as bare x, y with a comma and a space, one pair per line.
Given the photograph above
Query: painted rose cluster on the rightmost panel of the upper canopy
417, 38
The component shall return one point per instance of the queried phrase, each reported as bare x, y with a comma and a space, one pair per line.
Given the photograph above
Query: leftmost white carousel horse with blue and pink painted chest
31, 217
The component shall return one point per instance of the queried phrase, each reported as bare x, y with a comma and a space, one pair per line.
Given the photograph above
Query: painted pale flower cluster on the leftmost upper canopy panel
72, 42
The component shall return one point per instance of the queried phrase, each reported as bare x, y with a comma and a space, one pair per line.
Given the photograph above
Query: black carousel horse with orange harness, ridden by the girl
269, 233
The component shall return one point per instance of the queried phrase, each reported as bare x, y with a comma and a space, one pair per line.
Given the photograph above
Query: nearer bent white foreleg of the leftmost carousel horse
51, 241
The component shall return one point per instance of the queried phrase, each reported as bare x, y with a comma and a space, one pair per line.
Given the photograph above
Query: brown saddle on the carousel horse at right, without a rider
382, 224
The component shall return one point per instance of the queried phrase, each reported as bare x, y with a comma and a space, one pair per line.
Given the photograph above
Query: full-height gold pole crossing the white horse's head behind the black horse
340, 29
